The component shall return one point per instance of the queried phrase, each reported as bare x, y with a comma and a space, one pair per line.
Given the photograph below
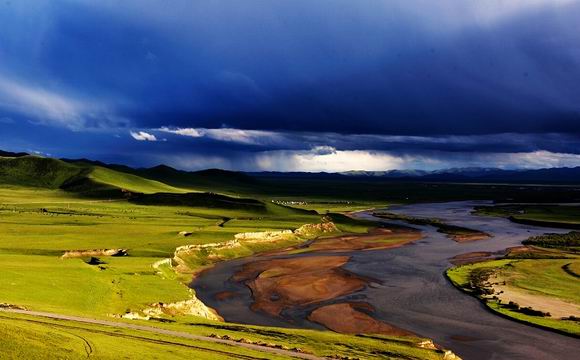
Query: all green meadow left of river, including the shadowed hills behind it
48, 207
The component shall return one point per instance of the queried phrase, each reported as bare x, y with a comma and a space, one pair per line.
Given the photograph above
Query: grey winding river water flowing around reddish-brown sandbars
412, 292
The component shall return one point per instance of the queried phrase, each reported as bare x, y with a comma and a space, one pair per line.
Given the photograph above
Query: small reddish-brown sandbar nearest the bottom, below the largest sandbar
347, 318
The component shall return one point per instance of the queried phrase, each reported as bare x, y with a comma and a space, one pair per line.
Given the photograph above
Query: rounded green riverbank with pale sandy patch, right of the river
533, 286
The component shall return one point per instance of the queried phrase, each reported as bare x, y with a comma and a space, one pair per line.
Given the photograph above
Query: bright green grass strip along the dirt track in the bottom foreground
27, 339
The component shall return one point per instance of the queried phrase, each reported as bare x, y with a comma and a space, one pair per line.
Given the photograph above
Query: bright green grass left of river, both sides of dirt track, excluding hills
33, 274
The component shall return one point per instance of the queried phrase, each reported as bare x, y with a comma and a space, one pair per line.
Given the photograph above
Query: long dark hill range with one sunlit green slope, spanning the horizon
95, 179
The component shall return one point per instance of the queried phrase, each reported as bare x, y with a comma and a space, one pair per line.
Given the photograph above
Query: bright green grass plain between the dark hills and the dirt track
34, 234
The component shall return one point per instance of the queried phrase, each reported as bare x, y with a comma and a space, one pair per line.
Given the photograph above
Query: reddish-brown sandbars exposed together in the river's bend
296, 280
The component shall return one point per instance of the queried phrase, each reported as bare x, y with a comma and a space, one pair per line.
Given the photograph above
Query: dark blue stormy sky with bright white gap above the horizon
300, 85
